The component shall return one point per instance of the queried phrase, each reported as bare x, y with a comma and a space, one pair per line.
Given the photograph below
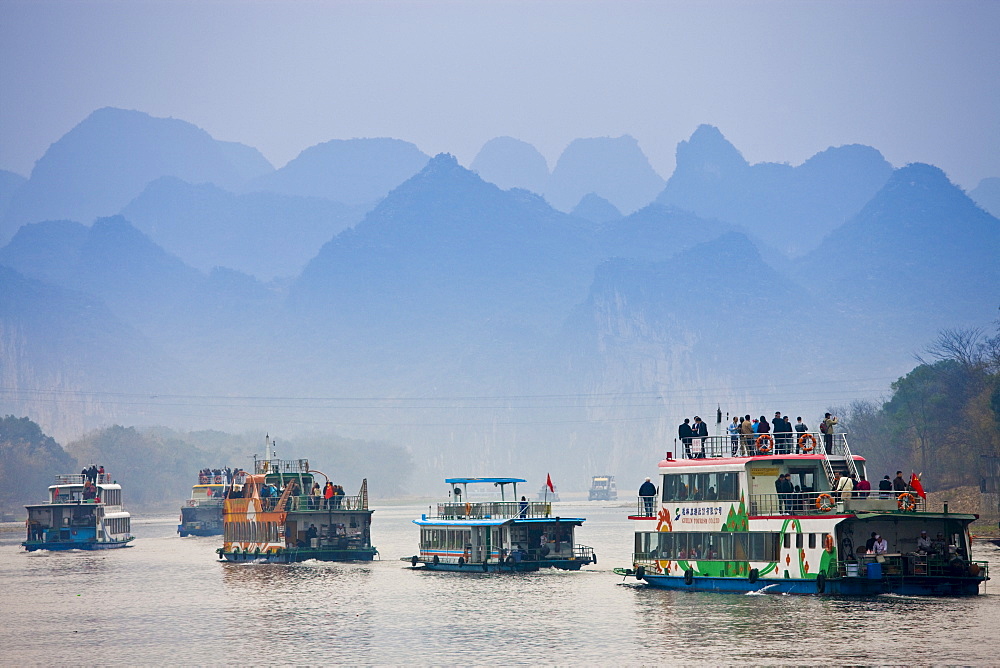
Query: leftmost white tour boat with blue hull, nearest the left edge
83, 512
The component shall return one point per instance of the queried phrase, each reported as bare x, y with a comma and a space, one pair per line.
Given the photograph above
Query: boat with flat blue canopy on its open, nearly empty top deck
500, 535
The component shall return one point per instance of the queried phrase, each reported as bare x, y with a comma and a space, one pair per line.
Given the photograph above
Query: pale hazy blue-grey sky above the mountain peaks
783, 80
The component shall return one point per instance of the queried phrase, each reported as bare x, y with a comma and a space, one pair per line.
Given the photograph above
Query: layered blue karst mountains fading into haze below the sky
503, 319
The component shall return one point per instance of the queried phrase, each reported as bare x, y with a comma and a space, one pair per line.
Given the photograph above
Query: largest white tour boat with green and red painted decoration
718, 523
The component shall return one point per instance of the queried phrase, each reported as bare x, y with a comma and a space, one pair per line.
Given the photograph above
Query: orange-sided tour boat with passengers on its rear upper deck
271, 517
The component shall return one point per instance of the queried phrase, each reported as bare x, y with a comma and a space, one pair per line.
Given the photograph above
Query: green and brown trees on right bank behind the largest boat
942, 419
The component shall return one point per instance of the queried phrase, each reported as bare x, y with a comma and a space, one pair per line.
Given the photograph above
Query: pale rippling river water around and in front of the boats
167, 600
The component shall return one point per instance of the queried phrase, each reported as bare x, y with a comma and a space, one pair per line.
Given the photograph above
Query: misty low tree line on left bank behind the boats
157, 466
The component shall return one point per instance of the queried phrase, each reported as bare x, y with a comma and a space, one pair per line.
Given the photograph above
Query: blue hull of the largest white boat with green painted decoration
855, 586
